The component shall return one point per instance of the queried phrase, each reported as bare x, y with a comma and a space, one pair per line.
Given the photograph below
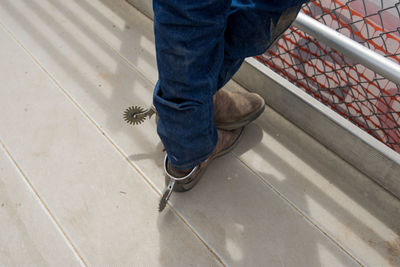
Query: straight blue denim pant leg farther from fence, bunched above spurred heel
190, 47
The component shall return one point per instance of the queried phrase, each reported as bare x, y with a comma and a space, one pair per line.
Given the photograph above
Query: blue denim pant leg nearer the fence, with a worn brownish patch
252, 28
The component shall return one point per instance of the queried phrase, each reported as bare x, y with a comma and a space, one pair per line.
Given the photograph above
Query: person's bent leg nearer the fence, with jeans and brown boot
252, 27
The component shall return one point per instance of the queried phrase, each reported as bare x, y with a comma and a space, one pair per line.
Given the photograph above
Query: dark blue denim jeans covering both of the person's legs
200, 44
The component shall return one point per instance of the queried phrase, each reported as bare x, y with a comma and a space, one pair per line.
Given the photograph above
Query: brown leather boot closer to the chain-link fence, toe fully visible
233, 110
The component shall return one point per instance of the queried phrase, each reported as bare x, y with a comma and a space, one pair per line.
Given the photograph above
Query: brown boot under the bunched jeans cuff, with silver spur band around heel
227, 140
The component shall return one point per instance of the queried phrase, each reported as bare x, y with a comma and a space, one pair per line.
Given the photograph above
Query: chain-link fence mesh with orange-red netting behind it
357, 93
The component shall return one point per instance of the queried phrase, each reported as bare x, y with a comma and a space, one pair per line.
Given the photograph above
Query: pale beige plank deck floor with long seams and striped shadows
78, 186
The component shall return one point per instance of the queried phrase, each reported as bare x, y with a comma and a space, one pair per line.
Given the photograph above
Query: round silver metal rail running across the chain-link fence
357, 52
